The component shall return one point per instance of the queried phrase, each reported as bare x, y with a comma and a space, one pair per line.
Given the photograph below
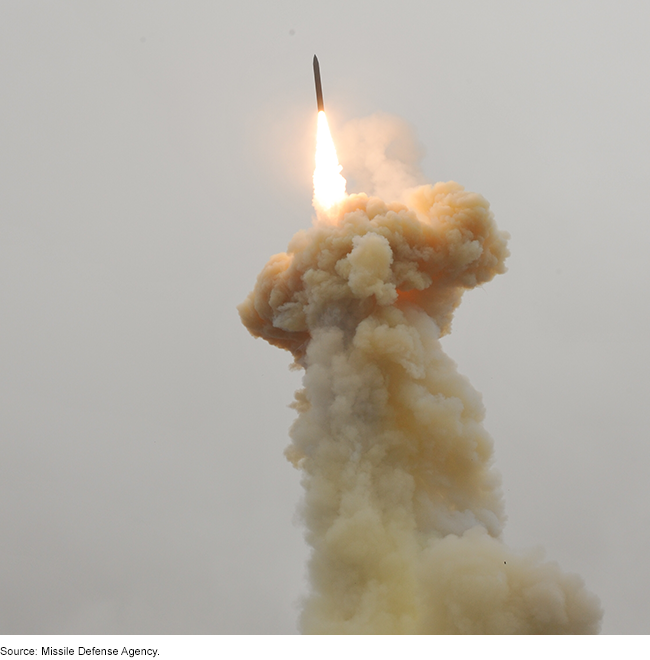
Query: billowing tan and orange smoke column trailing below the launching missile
402, 506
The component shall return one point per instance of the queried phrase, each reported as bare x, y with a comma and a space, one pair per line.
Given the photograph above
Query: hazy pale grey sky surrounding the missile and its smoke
154, 155
